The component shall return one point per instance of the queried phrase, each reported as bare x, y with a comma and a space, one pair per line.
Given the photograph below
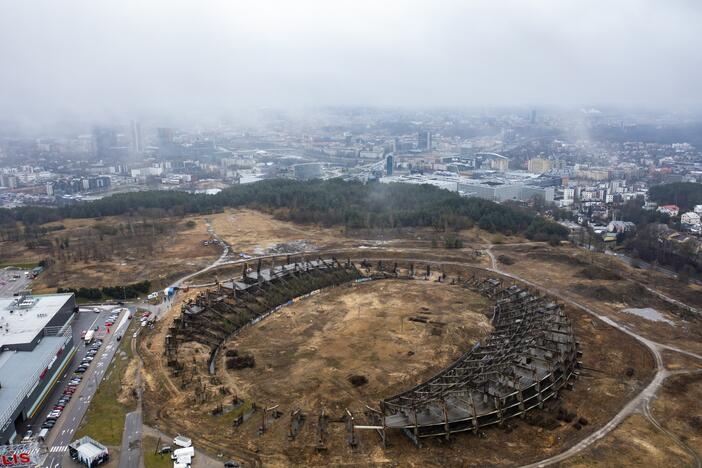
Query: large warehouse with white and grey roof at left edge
35, 345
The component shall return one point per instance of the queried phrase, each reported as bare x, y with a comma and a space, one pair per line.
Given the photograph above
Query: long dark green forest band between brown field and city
330, 202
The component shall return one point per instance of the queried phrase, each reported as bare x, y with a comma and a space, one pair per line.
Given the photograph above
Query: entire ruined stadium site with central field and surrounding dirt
300, 360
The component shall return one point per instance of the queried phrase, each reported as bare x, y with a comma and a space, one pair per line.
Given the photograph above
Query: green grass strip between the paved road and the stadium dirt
104, 420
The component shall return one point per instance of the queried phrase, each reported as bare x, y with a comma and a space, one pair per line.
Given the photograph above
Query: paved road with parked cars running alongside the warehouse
62, 434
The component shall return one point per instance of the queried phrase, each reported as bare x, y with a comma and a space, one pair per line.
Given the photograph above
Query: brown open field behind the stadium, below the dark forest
121, 249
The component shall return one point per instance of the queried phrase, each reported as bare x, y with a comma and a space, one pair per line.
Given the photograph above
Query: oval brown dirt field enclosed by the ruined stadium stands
362, 329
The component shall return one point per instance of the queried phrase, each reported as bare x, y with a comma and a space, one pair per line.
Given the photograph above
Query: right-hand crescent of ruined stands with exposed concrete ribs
530, 354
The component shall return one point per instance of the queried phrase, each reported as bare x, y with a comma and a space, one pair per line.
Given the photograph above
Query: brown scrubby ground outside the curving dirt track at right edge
606, 285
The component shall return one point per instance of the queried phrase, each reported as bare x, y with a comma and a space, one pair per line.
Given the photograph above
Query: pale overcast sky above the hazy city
66, 58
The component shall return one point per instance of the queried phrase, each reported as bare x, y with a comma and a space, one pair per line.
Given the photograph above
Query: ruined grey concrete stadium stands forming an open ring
530, 354
